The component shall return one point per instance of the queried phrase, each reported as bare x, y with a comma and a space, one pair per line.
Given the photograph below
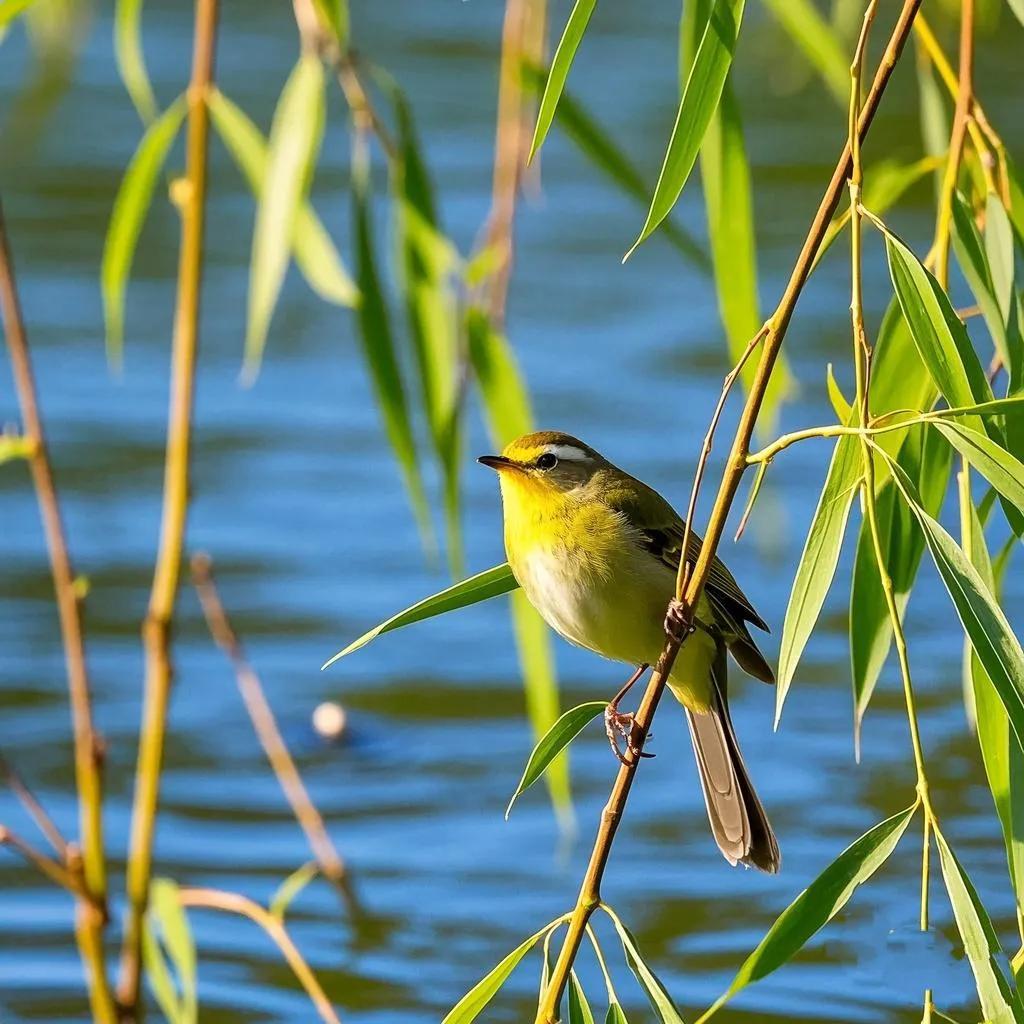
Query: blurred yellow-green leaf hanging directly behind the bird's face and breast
508, 414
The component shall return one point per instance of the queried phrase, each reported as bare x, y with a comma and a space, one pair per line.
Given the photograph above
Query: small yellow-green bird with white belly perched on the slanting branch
596, 551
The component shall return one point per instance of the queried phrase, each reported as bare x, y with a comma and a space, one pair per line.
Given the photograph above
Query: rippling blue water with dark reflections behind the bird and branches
294, 489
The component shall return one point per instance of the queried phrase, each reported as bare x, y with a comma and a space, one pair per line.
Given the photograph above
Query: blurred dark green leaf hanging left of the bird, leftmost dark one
382, 360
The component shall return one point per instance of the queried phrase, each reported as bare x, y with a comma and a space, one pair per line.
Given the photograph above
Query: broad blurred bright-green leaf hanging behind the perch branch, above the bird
726, 178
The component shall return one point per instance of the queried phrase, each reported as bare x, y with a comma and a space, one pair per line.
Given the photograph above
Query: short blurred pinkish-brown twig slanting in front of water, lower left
267, 730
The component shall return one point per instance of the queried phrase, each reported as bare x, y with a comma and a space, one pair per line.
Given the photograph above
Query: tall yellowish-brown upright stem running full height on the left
157, 628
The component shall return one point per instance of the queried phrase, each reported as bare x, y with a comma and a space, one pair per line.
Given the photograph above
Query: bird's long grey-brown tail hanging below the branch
738, 820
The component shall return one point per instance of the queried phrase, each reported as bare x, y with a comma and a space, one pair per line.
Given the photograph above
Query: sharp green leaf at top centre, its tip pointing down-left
701, 97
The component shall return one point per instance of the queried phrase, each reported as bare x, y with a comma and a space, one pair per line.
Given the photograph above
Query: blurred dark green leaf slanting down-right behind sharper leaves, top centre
595, 144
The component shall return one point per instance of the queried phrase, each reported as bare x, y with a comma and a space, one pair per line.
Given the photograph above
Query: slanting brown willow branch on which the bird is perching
736, 464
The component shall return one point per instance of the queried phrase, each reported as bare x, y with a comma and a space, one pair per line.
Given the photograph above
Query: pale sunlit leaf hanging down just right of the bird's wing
819, 562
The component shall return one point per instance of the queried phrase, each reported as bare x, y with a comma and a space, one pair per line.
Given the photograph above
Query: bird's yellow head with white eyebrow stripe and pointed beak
545, 465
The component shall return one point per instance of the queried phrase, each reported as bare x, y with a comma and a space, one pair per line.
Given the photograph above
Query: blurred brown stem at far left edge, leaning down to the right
89, 749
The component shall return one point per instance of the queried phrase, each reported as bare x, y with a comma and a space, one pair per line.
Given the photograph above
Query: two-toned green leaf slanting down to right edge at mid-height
987, 626
